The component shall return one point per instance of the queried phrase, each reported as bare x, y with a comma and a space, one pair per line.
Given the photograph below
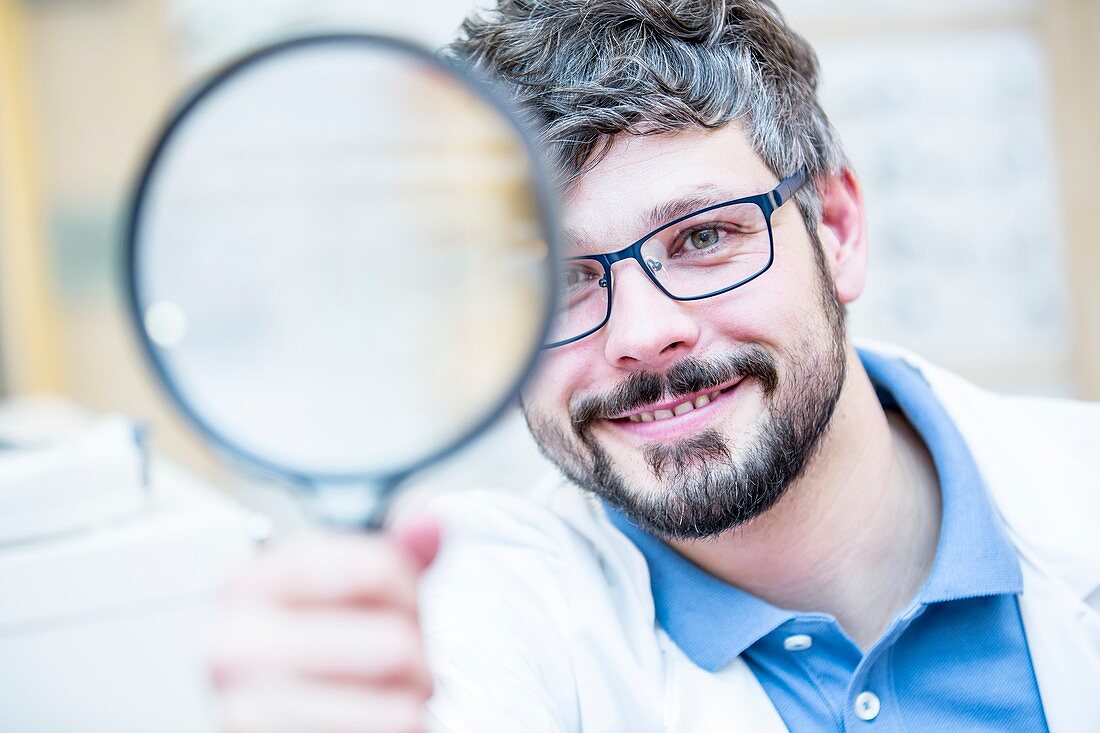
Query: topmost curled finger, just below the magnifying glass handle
331, 568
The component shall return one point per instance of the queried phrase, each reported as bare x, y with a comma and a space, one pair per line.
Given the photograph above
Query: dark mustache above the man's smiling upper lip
686, 377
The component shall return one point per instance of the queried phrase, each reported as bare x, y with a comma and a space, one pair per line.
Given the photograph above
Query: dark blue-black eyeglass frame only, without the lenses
768, 204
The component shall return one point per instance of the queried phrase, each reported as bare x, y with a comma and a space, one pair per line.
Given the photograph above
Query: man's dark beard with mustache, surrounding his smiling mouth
708, 489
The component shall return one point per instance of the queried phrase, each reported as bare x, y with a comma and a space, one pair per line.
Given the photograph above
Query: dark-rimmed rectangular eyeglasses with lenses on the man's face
696, 257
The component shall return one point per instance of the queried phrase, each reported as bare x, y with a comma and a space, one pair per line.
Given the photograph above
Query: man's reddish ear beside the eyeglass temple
843, 233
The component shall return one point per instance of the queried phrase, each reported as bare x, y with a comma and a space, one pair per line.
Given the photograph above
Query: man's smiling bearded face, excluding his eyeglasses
762, 366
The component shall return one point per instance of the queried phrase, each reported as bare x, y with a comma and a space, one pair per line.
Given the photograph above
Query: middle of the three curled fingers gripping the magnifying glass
362, 648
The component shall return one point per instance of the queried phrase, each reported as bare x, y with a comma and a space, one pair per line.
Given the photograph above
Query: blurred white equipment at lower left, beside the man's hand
108, 588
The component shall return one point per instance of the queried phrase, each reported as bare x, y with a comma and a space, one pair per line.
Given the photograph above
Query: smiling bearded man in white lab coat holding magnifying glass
776, 530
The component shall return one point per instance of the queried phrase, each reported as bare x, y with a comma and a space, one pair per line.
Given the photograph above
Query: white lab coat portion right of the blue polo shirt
1057, 540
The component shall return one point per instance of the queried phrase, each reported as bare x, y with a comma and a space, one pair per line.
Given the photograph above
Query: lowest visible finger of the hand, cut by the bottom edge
315, 708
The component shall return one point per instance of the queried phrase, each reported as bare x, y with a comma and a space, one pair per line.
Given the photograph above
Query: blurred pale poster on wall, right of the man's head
953, 139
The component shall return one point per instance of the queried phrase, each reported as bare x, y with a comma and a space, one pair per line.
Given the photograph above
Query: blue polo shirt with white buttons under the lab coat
955, 660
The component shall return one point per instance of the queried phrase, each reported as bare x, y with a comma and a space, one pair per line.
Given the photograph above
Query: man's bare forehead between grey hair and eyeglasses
641, 174
